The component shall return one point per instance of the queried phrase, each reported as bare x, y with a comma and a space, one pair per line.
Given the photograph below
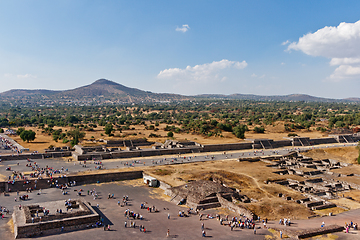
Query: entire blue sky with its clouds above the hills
186, 47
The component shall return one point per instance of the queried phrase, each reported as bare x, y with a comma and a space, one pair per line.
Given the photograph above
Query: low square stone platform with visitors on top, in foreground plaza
46, 218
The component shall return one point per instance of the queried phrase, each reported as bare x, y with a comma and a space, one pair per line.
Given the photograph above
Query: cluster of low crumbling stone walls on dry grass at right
318, 190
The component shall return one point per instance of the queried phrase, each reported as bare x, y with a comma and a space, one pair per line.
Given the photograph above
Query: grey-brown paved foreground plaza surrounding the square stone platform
156, 224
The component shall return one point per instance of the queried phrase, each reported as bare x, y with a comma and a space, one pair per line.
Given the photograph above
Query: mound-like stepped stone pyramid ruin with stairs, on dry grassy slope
203, 194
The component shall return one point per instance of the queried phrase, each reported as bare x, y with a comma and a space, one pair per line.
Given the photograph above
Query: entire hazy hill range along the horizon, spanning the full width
104, 91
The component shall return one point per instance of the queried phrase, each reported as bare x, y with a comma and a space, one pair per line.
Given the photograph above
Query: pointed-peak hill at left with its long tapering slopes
101, 91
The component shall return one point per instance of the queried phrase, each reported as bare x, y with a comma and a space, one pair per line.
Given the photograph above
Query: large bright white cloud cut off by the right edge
341, 44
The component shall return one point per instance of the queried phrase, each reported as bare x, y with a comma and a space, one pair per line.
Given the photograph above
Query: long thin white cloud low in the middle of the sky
204, 73
